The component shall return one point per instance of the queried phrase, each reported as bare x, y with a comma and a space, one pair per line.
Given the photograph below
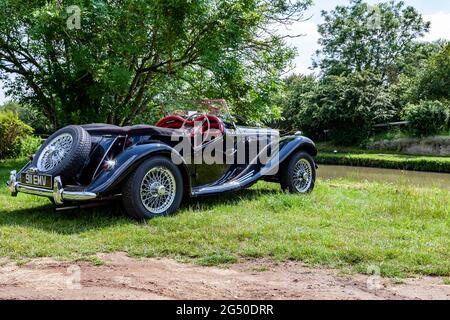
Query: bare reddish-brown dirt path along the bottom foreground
127, 278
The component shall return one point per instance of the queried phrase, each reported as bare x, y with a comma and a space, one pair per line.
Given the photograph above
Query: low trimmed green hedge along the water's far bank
387, 161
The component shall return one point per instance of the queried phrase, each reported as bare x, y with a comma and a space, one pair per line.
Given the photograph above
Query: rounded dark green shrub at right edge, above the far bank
426, 118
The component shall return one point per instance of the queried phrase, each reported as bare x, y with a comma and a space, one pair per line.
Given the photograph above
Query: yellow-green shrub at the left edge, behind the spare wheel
12, 133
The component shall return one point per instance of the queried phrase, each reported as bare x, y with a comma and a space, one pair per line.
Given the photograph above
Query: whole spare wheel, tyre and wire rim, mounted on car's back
64, 153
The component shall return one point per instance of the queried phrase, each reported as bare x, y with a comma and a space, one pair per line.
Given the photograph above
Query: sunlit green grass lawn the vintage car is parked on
401, 229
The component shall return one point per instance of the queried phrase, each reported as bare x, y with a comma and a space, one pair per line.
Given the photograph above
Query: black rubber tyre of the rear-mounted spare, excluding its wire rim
76, 157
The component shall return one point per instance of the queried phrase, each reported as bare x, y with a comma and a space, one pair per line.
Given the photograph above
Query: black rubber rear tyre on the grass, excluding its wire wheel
131, 190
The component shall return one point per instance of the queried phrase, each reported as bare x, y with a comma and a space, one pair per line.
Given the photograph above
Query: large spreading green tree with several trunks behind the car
109, 61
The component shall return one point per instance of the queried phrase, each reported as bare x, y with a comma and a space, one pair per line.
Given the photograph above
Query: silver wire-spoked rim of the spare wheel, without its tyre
54, 152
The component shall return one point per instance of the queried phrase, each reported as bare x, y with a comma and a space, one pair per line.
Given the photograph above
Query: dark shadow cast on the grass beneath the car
75, 221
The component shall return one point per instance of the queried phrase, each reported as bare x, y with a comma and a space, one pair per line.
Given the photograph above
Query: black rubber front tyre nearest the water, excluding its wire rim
287, 173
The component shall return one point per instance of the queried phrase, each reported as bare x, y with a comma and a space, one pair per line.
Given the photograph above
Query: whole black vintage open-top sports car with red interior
153, 167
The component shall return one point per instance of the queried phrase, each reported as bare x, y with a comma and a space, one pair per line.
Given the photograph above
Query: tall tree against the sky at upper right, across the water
379, 39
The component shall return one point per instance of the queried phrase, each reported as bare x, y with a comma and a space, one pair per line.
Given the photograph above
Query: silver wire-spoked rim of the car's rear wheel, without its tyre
158, 190
